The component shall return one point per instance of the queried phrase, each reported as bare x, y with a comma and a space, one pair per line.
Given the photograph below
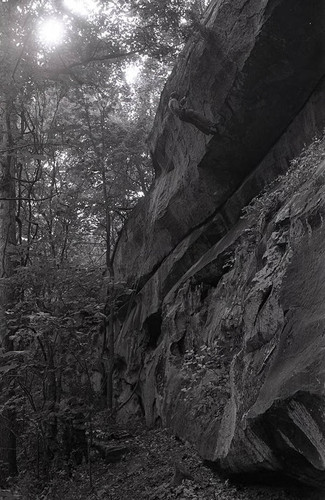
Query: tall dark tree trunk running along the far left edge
7, 224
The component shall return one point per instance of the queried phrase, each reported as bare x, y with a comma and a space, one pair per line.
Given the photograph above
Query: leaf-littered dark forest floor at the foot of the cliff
153, 468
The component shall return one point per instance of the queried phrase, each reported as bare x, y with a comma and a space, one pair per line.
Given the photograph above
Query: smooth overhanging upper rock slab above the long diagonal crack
260, 64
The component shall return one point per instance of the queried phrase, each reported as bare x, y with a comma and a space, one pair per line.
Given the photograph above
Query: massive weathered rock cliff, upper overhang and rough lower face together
224, 340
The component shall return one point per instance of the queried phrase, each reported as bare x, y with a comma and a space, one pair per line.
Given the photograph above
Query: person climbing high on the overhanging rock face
177, 107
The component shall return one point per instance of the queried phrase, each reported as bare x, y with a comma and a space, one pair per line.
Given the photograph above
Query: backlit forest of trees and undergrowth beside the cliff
79, 84
